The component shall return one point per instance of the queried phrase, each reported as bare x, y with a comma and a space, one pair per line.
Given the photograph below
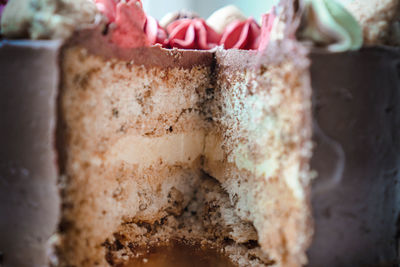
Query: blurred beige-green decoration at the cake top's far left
46, 19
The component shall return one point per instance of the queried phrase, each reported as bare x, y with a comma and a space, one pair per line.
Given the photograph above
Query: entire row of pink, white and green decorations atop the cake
333, 25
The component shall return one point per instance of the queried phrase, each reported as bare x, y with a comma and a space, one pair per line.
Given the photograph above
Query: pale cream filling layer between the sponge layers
185, 148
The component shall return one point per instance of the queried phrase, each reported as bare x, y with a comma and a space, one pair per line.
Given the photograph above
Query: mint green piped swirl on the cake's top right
327, 22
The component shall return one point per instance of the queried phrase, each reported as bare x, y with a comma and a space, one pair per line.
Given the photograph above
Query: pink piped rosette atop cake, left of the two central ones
192, 34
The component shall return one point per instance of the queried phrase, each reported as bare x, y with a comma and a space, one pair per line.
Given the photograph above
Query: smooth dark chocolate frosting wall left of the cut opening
29, 199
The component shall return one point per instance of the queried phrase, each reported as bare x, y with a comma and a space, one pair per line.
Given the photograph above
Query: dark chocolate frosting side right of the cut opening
357, 129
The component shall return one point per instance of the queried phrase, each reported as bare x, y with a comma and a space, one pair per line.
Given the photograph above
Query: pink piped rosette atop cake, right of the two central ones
242, 35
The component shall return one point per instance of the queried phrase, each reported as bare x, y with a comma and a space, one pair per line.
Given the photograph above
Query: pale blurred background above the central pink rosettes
158, 8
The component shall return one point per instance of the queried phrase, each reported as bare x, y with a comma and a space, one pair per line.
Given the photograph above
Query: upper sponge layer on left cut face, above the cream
123, 98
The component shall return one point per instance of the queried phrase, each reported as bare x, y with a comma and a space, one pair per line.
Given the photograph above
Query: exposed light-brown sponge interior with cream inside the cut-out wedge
200, 154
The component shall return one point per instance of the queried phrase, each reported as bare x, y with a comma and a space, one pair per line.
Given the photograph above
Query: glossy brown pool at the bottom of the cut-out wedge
181, 255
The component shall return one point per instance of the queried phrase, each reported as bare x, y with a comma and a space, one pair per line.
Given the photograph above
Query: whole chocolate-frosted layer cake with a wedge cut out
131, 147
